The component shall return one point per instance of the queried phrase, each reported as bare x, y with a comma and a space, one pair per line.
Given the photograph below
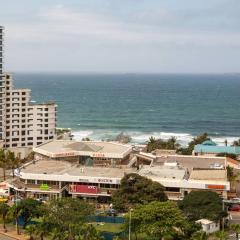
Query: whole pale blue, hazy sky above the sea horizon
121, 36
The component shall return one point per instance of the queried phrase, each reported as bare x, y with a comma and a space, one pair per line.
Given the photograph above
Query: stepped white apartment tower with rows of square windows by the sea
24, 124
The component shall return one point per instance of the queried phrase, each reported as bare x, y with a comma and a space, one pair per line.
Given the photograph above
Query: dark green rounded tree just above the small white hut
202, 204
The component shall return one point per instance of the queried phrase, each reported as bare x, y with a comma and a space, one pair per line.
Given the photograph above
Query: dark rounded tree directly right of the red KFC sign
135, 189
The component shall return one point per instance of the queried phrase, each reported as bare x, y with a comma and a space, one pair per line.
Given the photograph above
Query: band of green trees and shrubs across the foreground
154, 218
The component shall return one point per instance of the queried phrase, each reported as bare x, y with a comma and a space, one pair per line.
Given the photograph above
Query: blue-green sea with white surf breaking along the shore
100, 106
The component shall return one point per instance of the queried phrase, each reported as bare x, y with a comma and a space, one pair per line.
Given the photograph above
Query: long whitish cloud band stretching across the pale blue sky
60, 23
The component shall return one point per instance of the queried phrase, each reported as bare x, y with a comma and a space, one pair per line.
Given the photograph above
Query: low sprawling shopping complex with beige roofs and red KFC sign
95, 169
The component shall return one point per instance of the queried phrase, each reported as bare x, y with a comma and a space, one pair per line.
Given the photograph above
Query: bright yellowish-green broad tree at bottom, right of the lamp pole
158, 220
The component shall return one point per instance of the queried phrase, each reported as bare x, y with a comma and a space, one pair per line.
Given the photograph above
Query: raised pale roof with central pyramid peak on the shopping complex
55, 147
